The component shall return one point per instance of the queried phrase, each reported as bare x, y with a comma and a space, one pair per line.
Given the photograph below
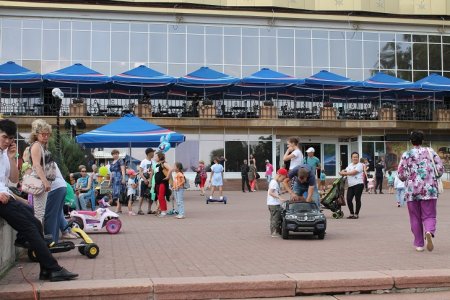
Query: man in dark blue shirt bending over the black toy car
304, 182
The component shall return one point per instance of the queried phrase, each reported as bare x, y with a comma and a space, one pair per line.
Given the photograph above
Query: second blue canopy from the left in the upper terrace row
77, 76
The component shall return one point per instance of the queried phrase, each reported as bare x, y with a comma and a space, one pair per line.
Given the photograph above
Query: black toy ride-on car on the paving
303, 217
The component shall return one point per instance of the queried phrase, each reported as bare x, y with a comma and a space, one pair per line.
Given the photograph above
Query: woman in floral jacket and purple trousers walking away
417, 170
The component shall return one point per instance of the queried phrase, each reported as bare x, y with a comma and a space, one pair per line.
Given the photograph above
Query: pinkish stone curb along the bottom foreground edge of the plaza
223, 287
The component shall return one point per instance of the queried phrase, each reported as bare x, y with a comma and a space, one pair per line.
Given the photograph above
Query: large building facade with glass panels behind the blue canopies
351, 38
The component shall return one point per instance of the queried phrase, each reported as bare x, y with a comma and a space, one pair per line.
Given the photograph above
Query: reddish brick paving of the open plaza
234, 239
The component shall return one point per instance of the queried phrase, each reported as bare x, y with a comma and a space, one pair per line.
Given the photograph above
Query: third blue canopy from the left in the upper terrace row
142, 78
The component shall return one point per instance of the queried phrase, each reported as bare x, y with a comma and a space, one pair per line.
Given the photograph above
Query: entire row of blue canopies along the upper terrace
203, 80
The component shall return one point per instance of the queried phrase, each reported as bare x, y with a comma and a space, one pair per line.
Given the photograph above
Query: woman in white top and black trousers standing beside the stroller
355, 181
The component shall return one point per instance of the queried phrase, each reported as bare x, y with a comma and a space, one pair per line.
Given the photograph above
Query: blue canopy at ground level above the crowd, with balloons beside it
128, 131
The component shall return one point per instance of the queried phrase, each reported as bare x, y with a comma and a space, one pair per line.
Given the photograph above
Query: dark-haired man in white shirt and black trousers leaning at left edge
20, 216
